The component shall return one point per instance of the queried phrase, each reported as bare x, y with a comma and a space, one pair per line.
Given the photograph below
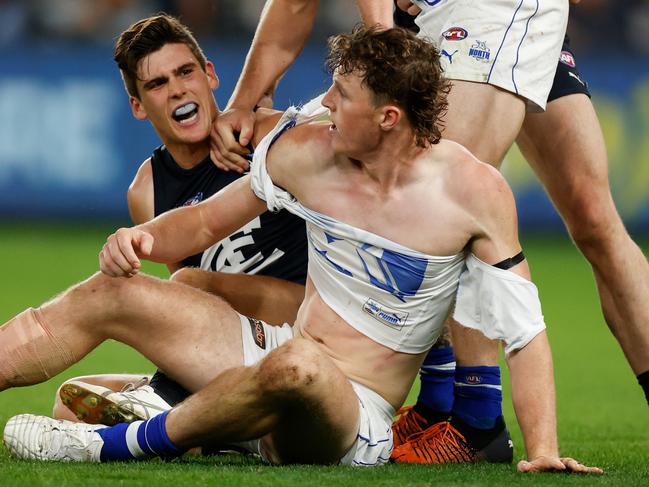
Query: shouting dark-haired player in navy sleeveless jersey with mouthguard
270, 249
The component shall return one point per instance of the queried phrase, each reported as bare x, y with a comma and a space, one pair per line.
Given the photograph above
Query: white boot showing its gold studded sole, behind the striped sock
99, 405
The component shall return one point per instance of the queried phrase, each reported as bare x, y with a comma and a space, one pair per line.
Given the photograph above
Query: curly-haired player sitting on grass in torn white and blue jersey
362, 170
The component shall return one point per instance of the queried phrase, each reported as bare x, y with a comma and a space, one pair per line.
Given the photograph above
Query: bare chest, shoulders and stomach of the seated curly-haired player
417, 202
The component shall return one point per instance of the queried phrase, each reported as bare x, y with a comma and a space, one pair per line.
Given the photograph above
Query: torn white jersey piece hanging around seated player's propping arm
500, 304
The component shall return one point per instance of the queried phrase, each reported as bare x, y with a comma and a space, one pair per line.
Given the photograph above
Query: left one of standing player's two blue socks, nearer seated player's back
436, 376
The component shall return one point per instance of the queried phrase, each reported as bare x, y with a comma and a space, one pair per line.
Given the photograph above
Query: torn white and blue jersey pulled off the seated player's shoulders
396, 296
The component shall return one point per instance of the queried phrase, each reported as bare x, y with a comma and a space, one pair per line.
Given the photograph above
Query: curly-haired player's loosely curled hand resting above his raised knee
120, 256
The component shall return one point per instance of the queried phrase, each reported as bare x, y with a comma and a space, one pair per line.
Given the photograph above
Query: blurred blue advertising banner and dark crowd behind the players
69, 146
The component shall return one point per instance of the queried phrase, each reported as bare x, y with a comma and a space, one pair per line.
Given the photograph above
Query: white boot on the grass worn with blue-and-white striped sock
31, 437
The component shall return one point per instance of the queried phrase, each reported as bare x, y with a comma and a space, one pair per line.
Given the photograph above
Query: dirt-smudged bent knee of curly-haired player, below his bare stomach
295, 366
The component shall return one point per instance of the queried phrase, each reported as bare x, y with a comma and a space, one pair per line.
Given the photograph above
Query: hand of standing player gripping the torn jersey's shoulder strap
231, 134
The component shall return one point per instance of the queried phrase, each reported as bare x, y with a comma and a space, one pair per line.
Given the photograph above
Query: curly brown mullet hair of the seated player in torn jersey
399, 68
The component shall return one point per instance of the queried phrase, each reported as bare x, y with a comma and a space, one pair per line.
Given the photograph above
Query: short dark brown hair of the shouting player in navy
147, 36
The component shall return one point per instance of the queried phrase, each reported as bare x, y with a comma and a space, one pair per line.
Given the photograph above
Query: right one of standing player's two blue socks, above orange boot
478, 396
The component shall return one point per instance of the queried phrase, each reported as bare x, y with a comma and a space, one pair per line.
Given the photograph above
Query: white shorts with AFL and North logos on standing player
512, 44
